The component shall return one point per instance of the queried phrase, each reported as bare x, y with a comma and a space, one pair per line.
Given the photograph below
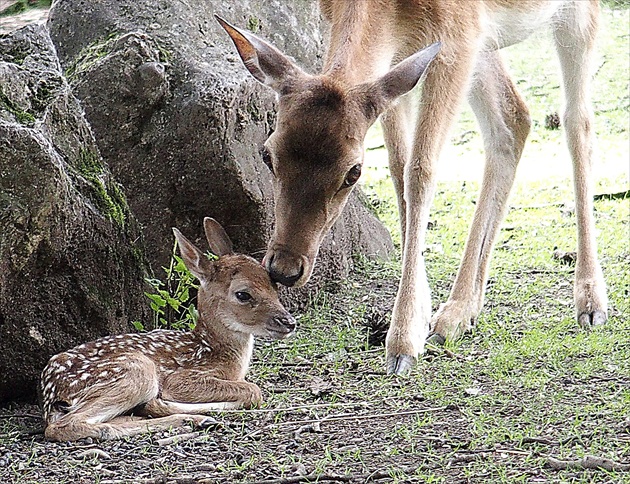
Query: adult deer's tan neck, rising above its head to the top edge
361, 47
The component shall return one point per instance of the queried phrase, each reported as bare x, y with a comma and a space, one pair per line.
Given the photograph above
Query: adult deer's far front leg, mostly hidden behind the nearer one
397, 128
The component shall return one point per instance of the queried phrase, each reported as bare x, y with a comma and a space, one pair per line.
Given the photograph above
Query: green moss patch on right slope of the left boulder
106, 195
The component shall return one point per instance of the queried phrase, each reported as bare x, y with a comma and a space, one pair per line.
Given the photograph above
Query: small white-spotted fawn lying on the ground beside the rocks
175, 376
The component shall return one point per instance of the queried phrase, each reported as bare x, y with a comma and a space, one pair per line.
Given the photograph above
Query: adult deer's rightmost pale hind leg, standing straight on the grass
574, 37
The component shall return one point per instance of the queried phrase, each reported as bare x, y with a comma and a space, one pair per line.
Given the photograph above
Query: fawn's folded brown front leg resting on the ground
199, 387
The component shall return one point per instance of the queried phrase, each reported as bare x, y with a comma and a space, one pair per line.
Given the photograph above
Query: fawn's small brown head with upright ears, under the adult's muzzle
235, 289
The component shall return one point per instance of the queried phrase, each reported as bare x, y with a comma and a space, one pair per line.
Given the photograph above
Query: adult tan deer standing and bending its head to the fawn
316, 151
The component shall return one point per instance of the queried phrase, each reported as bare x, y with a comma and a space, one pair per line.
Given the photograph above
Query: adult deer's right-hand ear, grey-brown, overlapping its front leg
381, 94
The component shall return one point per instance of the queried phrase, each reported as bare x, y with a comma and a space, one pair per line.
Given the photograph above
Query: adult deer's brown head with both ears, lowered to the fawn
316, 150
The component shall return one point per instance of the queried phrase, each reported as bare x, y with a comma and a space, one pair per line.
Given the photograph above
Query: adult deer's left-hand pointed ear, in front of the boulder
266, 63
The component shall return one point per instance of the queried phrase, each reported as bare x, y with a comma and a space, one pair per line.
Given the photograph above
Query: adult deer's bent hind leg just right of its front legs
504, 122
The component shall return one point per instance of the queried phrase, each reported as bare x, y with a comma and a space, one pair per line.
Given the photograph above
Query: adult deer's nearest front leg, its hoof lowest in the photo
443, 90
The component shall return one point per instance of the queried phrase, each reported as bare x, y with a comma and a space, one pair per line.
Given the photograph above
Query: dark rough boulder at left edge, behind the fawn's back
71, 266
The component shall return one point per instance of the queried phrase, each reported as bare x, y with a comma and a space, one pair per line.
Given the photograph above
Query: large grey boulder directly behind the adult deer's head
181, 122
